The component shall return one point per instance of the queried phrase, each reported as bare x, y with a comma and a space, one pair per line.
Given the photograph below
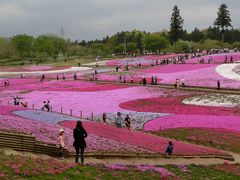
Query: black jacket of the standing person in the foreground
79, 136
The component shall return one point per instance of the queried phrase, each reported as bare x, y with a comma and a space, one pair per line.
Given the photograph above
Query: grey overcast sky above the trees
91, 19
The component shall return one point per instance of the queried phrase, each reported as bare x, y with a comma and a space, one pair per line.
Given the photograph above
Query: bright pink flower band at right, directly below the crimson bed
194, 121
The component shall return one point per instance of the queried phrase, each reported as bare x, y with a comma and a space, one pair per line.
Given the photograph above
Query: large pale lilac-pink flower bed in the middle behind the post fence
89, 102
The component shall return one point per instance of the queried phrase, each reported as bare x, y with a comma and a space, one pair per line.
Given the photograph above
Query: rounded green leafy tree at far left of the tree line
23, 44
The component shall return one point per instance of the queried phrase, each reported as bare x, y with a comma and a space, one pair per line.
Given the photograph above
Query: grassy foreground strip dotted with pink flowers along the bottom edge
18, 167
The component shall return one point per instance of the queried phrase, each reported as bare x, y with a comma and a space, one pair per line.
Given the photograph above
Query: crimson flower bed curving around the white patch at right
174, 105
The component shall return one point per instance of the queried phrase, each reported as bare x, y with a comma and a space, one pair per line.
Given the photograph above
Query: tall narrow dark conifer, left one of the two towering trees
176, 23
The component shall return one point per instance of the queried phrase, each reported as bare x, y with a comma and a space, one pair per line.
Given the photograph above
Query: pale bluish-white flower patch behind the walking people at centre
137, 119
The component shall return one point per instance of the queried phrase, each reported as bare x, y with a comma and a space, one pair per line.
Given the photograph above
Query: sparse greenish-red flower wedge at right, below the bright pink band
223, 139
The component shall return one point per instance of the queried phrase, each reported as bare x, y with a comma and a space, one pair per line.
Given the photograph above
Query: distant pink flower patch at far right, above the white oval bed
218, 58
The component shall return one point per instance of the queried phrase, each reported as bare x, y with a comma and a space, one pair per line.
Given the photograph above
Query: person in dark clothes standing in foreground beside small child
79, 135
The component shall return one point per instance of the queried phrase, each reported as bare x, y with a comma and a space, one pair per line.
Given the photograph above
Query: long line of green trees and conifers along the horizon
221, 34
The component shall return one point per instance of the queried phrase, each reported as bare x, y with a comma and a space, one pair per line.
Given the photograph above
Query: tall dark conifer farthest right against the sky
223, 20
